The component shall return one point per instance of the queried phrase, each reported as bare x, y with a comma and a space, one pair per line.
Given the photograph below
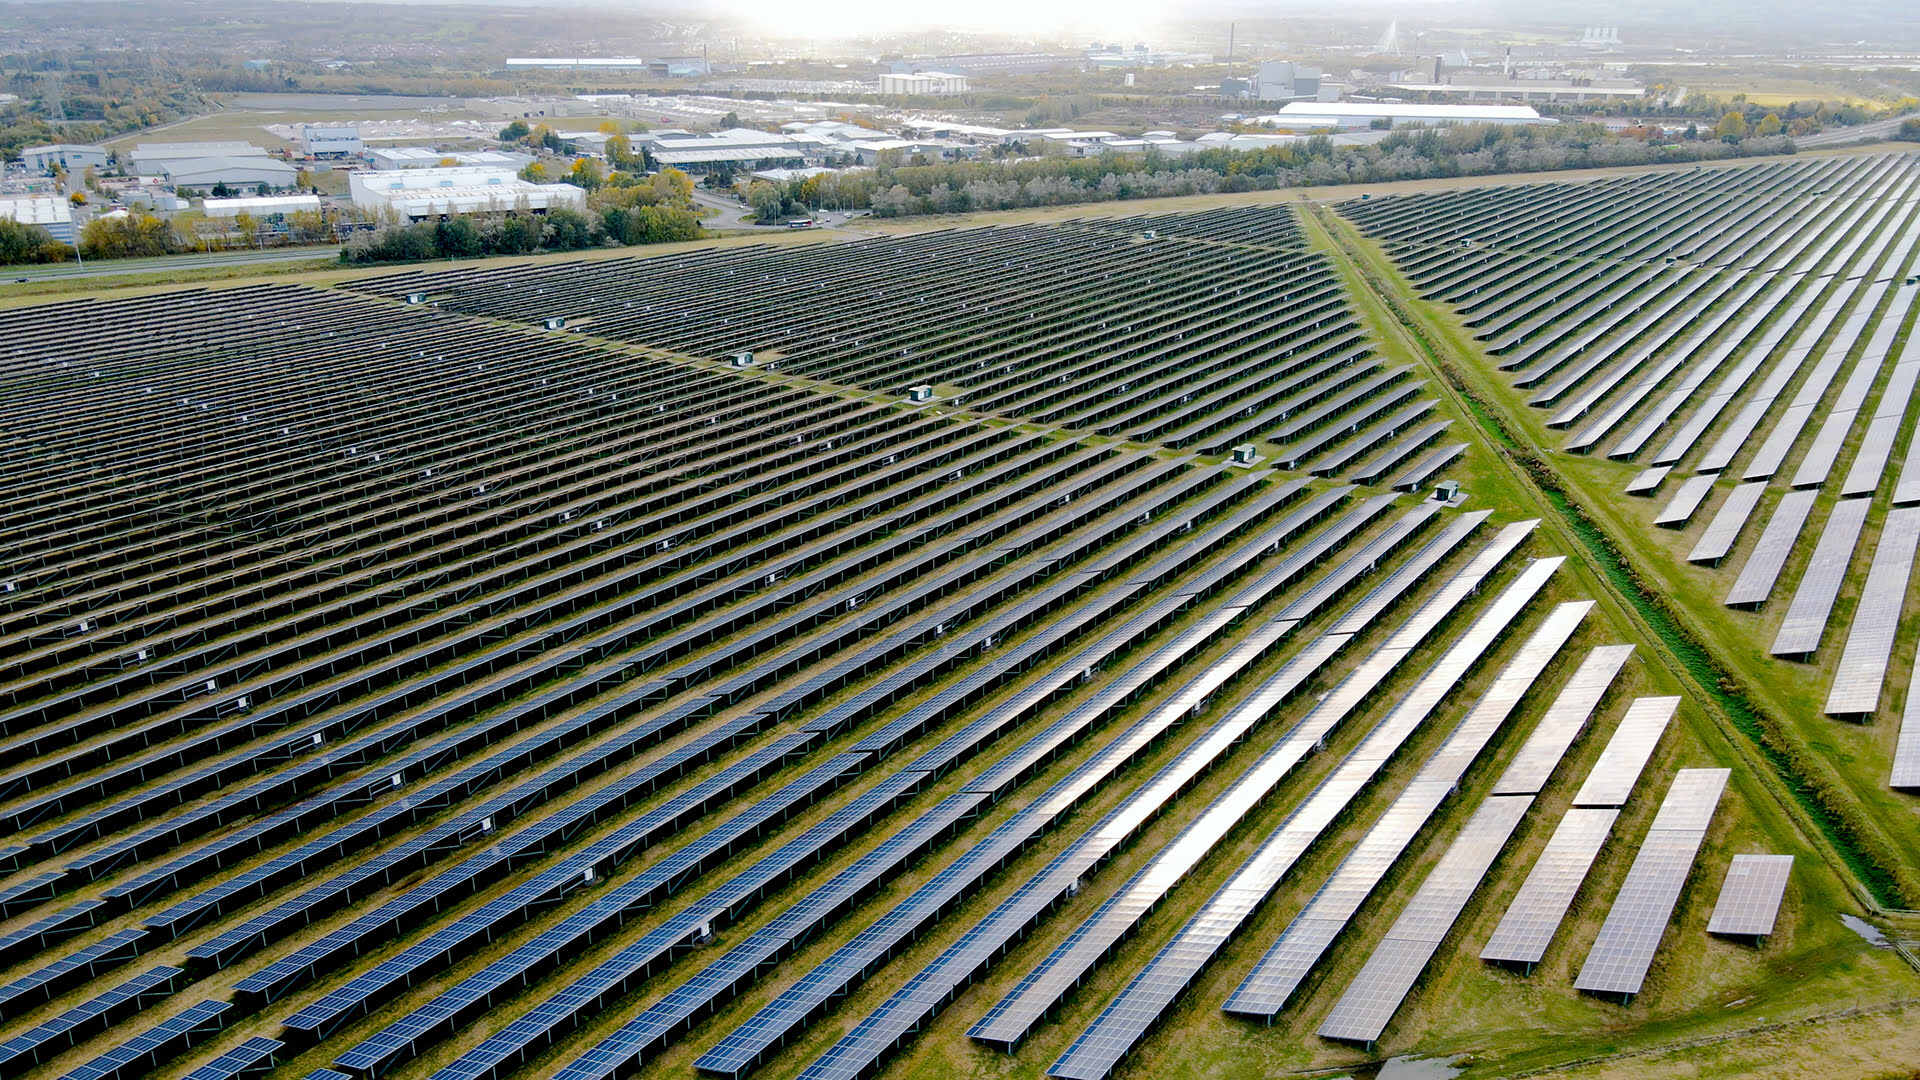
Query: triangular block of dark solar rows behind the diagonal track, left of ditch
1199, 331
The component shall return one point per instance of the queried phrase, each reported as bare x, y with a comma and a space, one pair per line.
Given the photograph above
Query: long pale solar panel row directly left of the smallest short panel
1623, 952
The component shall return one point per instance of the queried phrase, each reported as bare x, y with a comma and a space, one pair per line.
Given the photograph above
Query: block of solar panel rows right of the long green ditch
1739, 333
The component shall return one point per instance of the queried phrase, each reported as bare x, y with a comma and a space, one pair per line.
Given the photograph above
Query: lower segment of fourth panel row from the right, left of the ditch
1397, 964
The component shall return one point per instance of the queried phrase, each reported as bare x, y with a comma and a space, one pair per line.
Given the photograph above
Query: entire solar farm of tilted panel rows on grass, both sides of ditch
1092, 647
